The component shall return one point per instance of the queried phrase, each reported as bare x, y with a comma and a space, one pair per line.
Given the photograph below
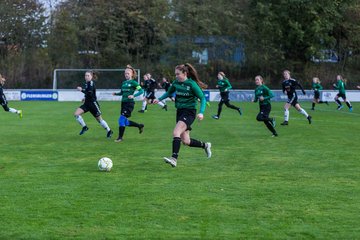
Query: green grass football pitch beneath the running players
304, 184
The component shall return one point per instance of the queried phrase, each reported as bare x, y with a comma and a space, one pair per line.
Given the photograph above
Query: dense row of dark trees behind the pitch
156, 35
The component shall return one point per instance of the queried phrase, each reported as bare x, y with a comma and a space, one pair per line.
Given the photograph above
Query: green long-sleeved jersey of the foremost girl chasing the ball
187, 95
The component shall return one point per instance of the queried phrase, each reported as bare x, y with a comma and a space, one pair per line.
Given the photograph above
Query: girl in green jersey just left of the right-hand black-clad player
264, 94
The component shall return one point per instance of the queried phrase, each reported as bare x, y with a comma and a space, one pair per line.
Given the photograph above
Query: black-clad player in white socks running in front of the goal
90, 105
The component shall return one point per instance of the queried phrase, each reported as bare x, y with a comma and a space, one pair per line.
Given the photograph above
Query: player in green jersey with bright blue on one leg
128, 88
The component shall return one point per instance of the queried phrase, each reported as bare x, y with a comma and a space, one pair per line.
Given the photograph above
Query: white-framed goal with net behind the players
106, 78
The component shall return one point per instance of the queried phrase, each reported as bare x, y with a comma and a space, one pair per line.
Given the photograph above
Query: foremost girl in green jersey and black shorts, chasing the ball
188, 90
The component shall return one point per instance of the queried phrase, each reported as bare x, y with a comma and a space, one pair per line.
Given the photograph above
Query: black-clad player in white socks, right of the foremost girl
289, 87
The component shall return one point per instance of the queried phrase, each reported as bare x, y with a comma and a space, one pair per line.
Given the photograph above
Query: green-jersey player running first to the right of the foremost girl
224, 86
